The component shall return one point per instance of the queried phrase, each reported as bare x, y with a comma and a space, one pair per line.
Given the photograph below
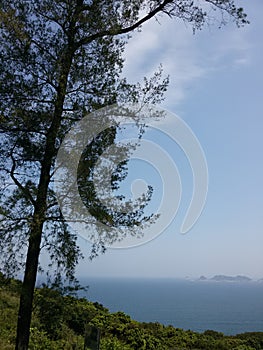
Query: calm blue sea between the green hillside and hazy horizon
227, 307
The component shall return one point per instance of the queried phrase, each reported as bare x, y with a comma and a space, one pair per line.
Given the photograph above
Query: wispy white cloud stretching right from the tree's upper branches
187, 58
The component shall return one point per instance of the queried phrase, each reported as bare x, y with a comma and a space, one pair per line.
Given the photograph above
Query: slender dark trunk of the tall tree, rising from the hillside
29, 281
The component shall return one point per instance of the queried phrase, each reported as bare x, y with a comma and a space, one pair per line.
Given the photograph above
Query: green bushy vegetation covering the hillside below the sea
59, 322
